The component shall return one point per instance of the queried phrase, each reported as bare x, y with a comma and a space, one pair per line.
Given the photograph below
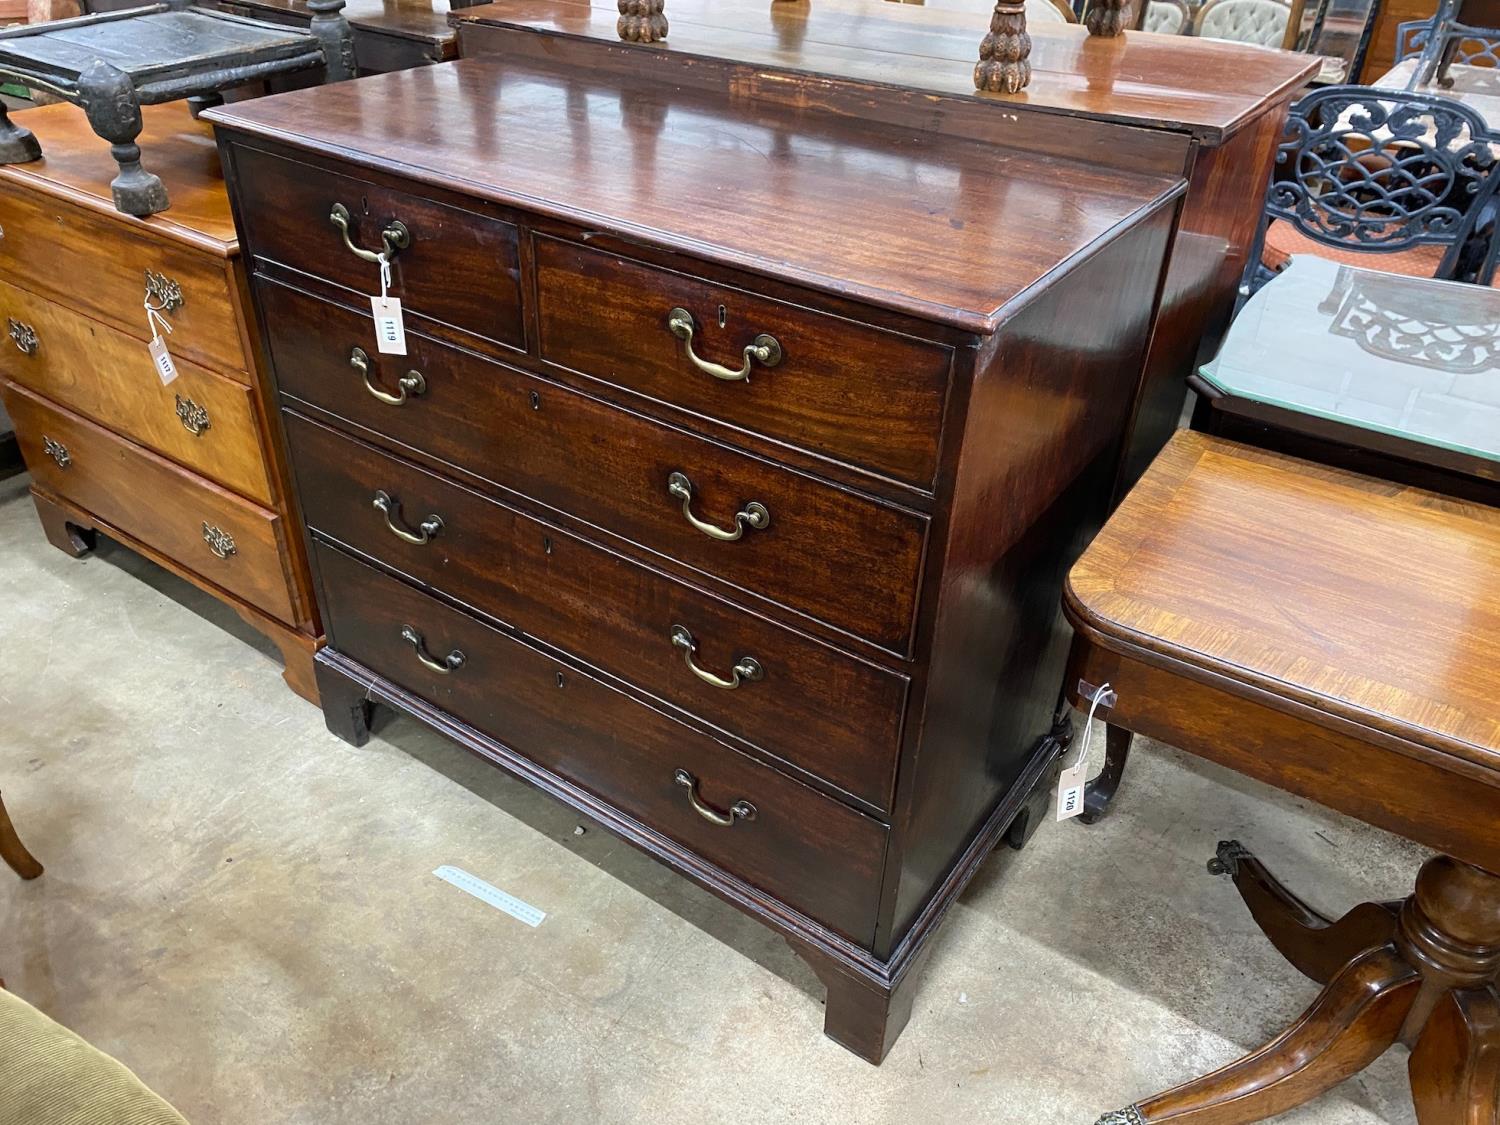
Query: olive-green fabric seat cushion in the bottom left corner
49, 1076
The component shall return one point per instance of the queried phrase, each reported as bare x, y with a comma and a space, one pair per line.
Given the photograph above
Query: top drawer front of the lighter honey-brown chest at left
101, 268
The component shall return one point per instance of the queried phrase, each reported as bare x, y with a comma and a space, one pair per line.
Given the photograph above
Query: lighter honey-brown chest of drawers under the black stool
184, 472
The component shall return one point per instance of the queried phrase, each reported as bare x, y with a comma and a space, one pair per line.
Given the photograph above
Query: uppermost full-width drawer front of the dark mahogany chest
833, 554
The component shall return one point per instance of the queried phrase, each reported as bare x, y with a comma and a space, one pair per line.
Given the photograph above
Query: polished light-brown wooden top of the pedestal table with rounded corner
1376, 605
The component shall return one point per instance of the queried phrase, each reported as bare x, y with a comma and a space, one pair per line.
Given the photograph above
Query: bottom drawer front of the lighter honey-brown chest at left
152, 500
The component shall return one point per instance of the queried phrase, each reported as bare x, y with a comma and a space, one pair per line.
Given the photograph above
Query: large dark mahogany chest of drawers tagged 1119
728, 479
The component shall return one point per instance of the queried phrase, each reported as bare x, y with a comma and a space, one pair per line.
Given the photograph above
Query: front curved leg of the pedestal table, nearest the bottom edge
1354, 1021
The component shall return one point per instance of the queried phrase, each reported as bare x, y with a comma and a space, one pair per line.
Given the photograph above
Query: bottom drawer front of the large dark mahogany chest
809, 851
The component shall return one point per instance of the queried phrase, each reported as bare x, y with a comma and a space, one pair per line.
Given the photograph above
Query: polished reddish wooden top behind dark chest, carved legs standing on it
1207, 88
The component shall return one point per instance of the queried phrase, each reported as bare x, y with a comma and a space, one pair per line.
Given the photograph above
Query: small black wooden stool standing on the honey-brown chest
115, 64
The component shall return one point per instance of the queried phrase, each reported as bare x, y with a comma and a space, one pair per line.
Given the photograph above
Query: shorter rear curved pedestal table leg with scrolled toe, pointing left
1315, 944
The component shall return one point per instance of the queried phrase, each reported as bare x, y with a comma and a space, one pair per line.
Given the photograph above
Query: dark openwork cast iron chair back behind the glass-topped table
1385, 170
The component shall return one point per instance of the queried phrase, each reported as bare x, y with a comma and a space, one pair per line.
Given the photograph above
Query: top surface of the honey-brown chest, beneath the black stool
77, 166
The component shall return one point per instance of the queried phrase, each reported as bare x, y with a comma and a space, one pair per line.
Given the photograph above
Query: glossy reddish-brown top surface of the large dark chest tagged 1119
931, 226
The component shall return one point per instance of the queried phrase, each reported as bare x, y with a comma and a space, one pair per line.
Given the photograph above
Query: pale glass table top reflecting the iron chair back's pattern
1406, 356
